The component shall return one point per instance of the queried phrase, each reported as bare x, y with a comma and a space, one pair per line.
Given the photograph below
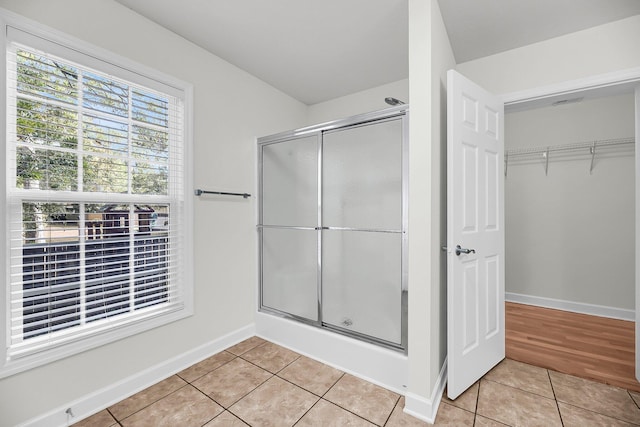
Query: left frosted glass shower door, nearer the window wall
288, 221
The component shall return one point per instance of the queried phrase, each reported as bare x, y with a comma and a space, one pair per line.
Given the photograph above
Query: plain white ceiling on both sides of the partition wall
316, 50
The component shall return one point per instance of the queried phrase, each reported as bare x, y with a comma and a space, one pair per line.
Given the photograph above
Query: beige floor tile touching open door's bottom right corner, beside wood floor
523, 376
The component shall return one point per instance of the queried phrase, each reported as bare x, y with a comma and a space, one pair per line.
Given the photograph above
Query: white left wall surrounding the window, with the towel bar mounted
231, 108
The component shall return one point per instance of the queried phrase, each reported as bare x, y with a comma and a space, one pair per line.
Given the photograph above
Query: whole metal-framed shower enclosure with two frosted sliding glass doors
332, 223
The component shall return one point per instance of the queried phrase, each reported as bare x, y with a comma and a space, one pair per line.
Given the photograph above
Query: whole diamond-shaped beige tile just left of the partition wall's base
367, 400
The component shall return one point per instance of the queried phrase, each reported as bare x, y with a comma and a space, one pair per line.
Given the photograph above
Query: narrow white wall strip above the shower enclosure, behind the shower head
358, 103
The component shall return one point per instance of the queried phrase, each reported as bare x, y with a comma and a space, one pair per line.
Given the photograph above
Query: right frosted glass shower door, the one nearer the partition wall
362, 224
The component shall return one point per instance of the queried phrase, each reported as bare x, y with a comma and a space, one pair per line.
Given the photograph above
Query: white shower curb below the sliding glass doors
375, 364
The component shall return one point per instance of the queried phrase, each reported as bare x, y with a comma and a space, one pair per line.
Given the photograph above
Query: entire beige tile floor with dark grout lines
259, 383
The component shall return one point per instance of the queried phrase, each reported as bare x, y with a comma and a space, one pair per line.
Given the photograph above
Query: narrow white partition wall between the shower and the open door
430, 55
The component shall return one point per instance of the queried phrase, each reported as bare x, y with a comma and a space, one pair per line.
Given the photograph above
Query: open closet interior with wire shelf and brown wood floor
570, 237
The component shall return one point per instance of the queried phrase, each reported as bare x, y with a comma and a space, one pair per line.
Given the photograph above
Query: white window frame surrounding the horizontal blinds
112, 63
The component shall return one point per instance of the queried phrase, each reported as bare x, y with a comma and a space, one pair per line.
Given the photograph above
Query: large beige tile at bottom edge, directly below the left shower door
274, 403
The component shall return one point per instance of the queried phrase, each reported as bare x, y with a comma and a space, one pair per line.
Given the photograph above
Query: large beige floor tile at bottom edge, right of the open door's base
516, 407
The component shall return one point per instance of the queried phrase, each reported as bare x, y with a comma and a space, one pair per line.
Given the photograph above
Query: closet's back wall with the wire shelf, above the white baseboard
569, 235
